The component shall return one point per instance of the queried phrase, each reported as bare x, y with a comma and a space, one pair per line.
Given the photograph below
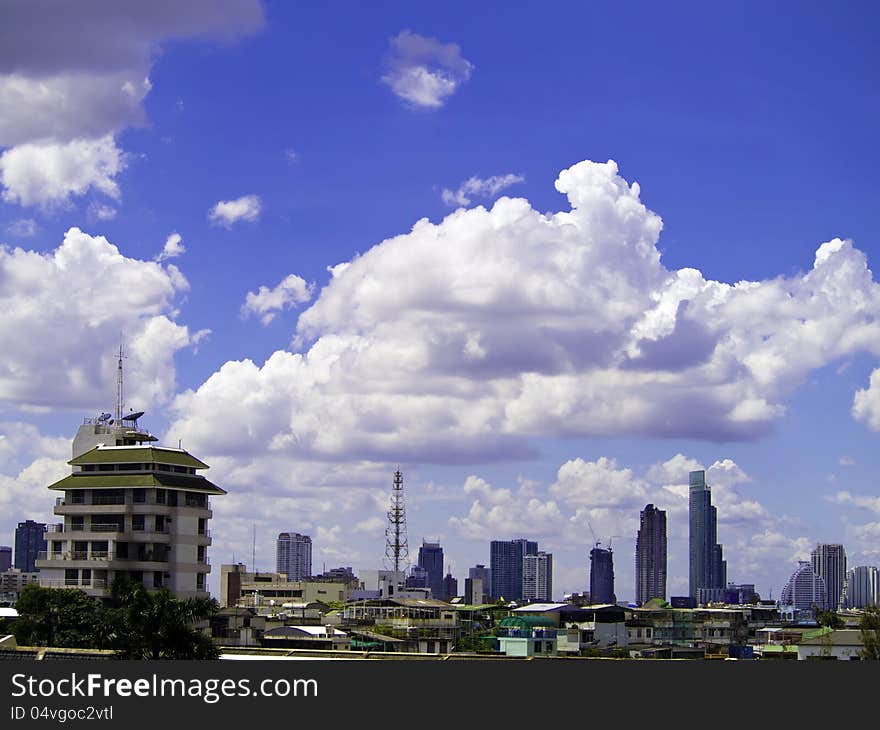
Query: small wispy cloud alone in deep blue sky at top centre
424, 72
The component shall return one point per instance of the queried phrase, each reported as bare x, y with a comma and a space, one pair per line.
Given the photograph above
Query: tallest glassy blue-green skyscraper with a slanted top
708, 568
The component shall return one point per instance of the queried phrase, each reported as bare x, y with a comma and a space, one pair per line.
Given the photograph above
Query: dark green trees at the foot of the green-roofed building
137, 623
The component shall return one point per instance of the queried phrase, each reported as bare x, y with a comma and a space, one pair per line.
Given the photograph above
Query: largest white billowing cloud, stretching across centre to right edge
467, 338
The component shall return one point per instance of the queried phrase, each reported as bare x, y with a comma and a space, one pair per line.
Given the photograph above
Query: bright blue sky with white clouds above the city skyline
533, 367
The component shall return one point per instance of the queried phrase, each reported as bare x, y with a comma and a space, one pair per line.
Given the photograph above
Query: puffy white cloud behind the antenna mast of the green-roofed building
64, 311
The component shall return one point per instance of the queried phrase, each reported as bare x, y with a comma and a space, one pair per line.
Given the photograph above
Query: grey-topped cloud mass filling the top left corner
74, 76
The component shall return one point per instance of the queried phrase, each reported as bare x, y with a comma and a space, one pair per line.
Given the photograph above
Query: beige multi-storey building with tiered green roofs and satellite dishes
129, 508
